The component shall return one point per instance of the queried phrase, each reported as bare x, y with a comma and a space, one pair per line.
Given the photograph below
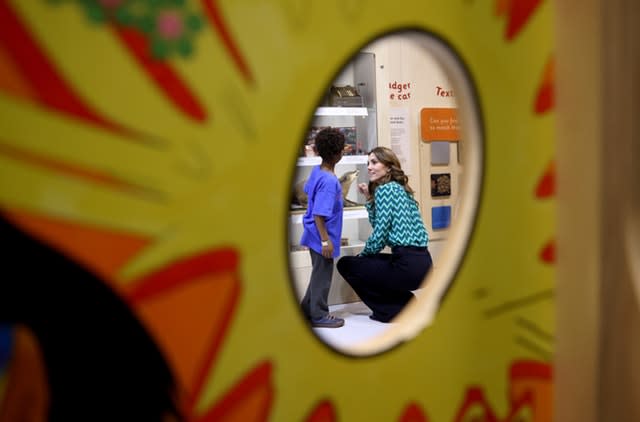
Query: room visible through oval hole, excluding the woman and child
407, 91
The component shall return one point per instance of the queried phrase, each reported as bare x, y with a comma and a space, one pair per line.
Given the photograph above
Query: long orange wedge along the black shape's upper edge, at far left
101, 250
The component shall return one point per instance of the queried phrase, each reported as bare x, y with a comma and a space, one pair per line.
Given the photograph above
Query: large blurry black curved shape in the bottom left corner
101, 363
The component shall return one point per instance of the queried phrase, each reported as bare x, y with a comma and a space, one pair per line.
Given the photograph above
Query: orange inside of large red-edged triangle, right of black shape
188, 321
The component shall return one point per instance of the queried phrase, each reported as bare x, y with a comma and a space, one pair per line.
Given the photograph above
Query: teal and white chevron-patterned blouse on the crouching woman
395, 219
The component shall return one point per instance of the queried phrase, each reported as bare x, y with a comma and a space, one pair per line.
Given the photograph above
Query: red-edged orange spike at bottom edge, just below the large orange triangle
249, 401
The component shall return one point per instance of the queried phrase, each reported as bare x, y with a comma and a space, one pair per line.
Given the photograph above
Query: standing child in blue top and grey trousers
323, 227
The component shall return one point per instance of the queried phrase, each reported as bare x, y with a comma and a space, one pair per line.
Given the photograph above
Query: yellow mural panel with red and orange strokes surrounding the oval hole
145, 155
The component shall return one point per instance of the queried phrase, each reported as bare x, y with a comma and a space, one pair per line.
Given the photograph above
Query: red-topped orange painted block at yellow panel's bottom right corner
533, 382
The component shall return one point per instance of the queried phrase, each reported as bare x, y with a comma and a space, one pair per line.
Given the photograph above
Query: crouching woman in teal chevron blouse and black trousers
385, 281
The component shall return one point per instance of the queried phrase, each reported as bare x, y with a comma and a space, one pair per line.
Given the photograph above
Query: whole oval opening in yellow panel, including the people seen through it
409, 92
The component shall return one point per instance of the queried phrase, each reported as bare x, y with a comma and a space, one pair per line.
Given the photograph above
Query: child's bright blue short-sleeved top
325, 199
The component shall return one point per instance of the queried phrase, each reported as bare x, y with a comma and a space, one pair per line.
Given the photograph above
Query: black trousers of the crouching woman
385, 281
